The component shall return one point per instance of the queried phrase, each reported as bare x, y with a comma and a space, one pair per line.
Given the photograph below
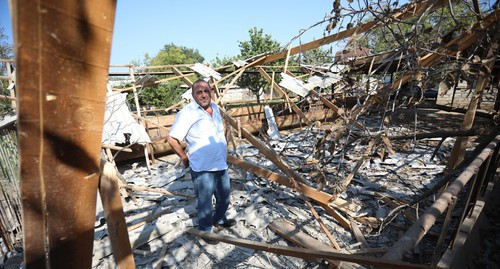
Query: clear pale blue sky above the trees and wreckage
212, 27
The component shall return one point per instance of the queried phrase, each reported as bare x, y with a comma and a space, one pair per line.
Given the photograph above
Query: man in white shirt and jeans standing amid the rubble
200, 125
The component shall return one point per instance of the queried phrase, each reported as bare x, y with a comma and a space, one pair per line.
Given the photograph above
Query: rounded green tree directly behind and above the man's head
165, 94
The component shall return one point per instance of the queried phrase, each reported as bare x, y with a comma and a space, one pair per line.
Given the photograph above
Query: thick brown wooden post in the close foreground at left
60, 124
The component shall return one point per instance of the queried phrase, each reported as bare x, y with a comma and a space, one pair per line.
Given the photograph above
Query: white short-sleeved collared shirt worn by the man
204, 136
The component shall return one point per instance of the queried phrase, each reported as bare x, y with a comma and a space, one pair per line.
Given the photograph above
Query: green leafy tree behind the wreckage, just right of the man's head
258, 44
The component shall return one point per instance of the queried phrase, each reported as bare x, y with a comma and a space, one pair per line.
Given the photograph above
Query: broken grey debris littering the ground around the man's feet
163, 208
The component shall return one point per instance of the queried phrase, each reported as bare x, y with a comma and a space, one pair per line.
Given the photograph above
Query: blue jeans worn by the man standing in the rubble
207, 184
